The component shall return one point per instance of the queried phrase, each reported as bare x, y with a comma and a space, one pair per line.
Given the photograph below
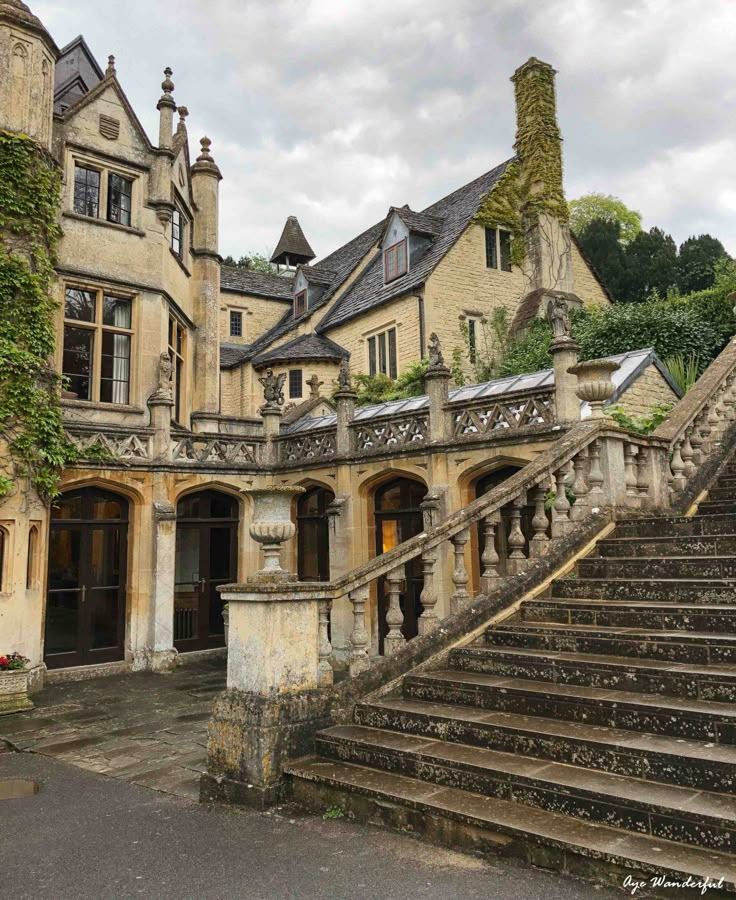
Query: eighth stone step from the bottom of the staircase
675, 590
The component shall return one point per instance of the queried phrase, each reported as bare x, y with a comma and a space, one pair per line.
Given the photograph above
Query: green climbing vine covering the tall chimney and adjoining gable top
531, 184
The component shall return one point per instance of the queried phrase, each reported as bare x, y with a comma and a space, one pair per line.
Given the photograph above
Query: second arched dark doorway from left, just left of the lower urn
206, 557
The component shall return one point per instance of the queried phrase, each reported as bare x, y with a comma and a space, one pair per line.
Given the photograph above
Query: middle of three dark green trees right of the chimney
651, 266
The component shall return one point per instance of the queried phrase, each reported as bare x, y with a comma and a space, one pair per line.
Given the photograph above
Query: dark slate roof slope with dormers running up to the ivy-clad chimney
454, 212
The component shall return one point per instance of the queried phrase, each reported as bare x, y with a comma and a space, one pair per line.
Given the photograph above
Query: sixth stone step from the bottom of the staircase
696, 648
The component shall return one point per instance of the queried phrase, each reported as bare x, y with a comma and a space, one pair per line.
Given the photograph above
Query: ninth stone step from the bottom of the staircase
680, 567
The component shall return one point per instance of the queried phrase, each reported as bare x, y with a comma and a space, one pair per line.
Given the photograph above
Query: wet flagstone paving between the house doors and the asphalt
147, 729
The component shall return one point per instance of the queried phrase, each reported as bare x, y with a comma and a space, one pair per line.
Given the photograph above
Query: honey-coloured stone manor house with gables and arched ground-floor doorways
166, 353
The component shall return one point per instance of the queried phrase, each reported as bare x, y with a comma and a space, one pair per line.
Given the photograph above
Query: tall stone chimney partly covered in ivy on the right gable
548, 255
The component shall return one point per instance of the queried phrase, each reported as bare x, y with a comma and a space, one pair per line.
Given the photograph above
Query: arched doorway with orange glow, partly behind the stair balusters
399, 517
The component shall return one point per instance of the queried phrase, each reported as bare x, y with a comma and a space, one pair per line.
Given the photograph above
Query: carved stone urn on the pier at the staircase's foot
271, 526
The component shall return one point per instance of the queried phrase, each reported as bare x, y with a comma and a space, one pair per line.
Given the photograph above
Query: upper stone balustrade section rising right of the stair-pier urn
700, 419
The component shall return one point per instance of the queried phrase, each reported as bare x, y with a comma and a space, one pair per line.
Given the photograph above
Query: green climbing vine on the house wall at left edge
30, 413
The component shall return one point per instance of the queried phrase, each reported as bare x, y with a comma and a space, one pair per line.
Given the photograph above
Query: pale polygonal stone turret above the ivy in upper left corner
28, 57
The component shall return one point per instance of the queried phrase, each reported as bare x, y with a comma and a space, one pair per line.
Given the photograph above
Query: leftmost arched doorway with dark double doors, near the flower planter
85, 603
